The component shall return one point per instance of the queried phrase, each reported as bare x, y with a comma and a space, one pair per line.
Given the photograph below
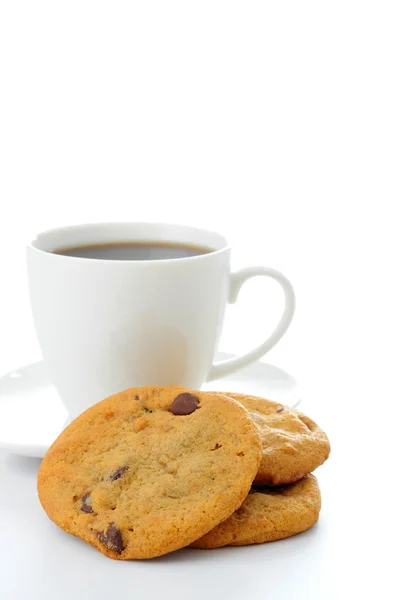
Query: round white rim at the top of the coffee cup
103, 226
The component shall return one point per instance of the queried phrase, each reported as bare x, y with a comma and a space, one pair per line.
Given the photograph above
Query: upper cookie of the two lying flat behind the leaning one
293, 445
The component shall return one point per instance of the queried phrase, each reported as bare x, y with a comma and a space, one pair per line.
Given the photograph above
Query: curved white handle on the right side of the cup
237, 280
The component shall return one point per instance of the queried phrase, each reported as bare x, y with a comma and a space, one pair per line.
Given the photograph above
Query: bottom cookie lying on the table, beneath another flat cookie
268, 514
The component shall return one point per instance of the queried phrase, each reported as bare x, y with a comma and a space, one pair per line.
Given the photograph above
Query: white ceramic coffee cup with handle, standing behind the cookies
106, 325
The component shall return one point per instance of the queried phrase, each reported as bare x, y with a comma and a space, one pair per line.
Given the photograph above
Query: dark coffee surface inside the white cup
134, 251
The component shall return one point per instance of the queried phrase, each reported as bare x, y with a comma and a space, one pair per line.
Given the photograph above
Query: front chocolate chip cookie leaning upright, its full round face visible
150, 470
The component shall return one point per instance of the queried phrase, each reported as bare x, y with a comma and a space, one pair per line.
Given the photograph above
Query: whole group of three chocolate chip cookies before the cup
154, 469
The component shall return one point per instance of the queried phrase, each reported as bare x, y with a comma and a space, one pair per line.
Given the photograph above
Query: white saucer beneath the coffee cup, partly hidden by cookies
32, 414
